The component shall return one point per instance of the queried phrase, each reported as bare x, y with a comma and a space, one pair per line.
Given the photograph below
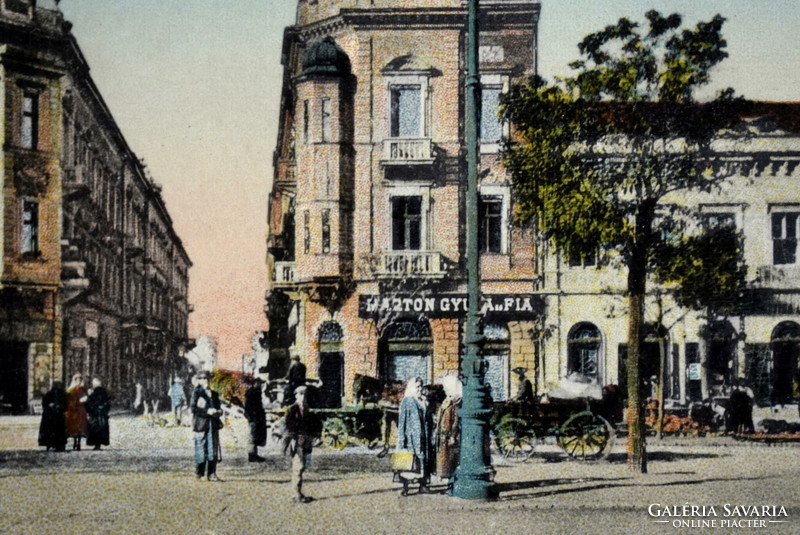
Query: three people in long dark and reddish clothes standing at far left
75, 413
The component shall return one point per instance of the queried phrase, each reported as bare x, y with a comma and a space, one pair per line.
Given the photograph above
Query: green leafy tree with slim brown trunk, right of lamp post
594, 156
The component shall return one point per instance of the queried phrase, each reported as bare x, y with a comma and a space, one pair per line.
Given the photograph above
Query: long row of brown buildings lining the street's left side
94, 277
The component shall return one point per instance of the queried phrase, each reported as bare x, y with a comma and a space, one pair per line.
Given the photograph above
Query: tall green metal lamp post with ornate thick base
473, 477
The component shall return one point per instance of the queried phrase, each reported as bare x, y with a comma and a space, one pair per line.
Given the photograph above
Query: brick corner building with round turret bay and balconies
367, 211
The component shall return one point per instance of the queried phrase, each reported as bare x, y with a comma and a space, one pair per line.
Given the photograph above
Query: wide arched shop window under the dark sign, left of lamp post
405, 350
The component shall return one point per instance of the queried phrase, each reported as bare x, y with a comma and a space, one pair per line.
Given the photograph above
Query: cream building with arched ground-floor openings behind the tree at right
693, 353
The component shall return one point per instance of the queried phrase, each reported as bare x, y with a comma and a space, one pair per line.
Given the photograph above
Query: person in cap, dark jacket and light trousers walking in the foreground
302, 428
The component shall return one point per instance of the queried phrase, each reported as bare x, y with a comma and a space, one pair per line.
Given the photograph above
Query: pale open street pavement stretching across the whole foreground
144, 484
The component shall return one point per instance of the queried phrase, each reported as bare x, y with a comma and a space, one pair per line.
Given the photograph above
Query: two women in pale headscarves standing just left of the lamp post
433, 440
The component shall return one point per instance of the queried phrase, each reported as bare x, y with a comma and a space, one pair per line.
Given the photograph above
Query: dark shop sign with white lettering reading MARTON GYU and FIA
522, 305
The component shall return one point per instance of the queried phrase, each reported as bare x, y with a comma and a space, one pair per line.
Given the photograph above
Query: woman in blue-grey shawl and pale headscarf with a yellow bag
415, 431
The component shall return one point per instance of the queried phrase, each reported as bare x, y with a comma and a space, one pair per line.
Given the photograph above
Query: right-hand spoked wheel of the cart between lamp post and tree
586, 436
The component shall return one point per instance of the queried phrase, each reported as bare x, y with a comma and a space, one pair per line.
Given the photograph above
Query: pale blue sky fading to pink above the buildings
194, 86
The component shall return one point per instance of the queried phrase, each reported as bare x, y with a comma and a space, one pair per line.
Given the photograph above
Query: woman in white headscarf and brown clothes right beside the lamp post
448, 434
